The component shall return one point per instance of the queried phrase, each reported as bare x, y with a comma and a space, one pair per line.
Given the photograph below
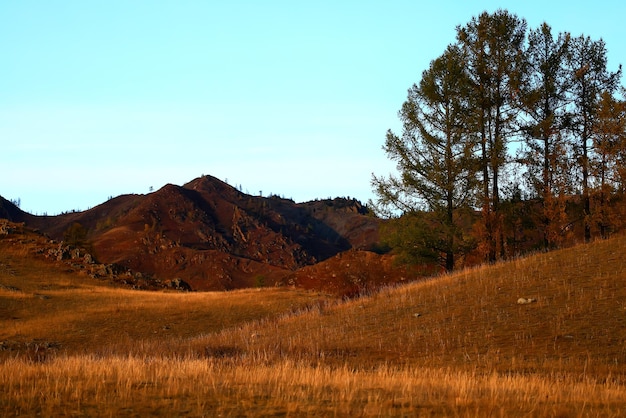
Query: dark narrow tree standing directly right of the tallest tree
543, 100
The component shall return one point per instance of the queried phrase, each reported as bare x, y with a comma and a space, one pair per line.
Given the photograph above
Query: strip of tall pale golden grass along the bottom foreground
116, 386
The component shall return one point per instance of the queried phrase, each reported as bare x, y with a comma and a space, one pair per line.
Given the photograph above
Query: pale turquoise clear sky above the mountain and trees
293, 98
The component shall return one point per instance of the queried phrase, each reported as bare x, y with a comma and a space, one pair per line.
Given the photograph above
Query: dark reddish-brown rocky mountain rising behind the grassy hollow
210, 234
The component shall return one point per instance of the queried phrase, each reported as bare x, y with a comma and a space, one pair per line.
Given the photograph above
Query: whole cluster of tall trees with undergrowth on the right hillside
513, 140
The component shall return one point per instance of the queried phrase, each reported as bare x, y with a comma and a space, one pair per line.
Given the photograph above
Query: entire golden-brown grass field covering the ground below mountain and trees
454, 345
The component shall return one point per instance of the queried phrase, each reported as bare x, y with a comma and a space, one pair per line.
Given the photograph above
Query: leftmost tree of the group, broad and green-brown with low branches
434, 158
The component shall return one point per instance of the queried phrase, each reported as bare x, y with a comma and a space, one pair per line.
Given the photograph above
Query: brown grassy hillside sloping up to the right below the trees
575, 321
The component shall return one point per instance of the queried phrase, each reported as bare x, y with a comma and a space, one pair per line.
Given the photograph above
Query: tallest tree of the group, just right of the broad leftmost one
493, 46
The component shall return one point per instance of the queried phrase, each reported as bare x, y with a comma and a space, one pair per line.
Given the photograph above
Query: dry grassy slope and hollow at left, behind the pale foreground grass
42, 303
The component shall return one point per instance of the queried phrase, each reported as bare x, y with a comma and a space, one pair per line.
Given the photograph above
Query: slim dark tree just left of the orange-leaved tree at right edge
590, 78
